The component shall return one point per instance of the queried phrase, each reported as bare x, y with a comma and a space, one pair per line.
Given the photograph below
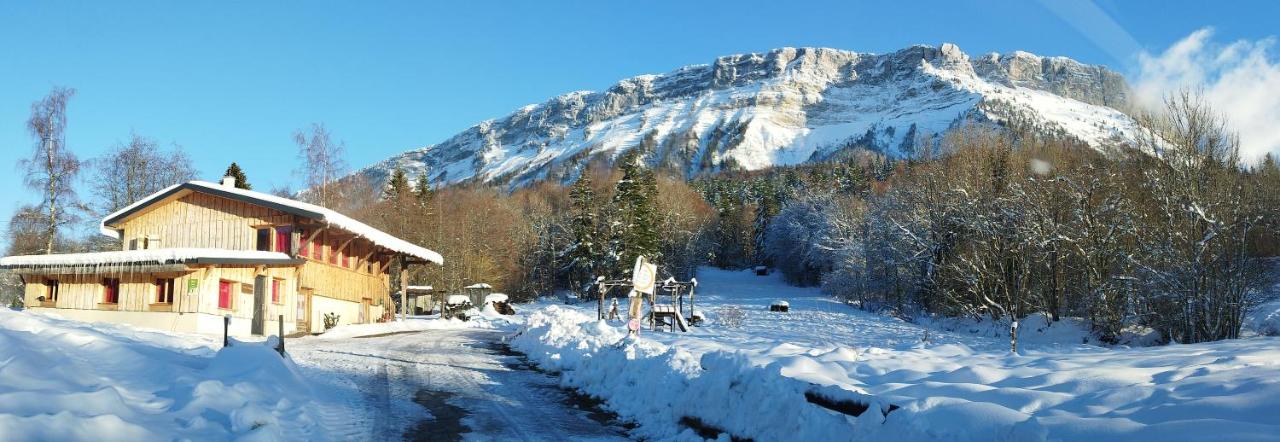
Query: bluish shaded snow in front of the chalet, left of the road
70, 381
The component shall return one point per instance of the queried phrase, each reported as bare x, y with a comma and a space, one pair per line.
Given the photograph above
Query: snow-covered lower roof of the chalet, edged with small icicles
149, 257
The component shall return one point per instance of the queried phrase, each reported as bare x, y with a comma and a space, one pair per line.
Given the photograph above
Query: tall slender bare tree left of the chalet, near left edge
53, 168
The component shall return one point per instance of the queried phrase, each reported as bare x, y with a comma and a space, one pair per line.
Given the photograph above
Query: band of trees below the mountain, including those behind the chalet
1173, 235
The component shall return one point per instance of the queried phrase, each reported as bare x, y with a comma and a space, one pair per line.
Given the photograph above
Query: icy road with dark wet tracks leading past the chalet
441, 385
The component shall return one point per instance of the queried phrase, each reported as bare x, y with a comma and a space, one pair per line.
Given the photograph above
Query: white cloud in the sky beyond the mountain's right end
1240, 80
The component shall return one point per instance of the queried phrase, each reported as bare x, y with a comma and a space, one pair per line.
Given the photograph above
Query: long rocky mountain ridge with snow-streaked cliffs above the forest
780, 108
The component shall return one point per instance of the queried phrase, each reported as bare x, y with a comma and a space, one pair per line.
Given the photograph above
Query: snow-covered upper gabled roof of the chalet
299, 208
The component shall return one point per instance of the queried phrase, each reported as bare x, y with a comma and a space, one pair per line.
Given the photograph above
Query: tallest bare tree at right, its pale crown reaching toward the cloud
1201, 280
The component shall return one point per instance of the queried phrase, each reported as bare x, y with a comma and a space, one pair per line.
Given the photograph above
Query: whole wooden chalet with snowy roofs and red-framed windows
199, 252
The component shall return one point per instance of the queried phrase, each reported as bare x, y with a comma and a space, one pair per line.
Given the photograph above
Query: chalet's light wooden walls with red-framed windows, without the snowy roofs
327, 270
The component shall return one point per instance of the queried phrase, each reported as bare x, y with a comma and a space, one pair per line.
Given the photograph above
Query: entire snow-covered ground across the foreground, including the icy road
748, 373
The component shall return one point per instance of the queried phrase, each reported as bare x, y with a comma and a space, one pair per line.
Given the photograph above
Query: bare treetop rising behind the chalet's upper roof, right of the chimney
322, 163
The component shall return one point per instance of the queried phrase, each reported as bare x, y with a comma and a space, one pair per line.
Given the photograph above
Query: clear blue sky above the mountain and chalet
232, 81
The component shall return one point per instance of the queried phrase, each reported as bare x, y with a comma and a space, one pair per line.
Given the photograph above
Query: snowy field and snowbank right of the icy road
753, 380
